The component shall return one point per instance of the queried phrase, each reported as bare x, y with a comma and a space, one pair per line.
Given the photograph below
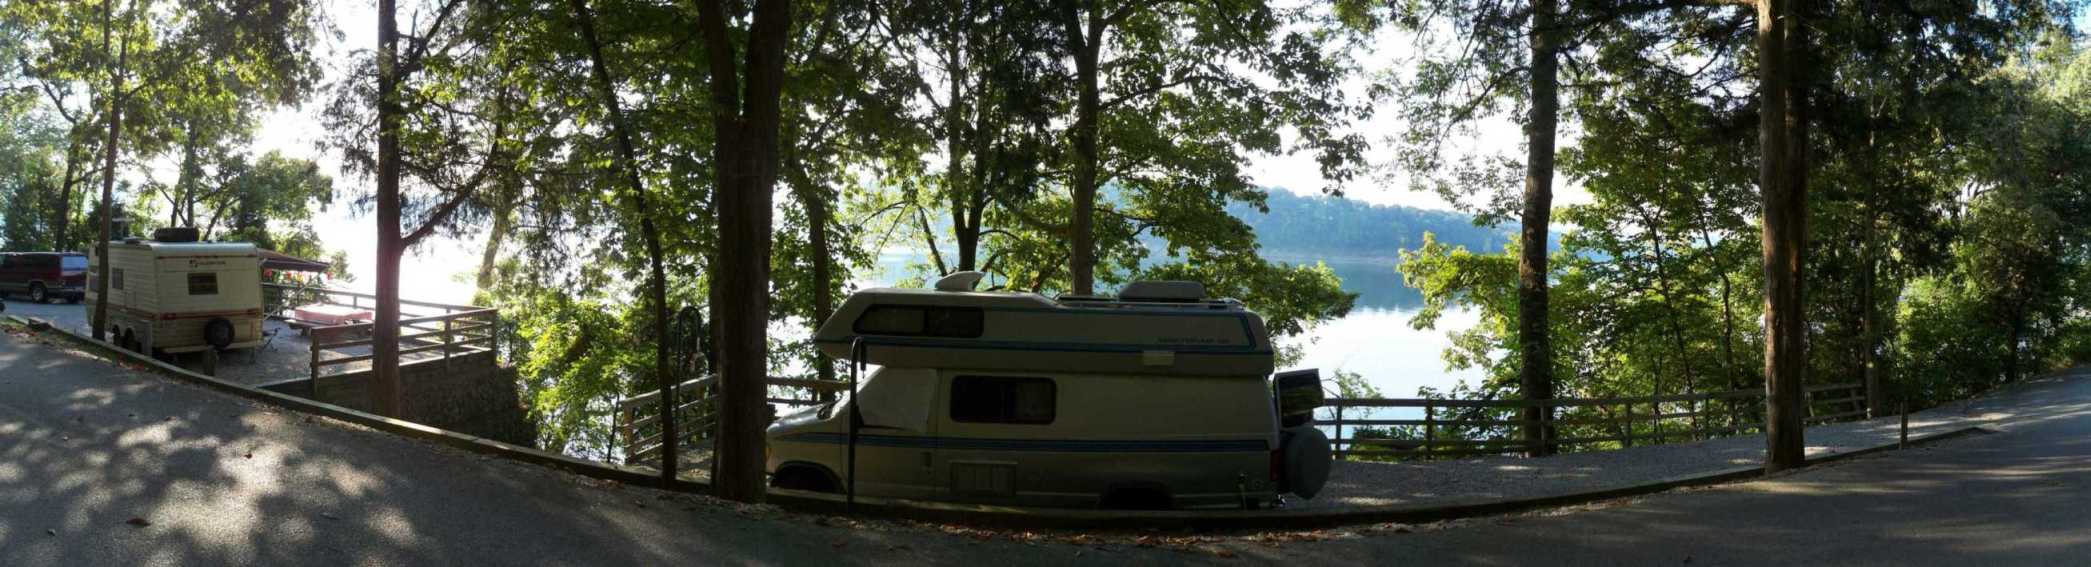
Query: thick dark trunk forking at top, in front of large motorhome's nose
745, 158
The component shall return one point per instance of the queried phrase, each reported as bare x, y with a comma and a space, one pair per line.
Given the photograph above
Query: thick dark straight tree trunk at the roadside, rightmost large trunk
1783, 141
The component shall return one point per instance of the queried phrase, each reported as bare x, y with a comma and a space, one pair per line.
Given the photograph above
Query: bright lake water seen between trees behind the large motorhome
1375, 340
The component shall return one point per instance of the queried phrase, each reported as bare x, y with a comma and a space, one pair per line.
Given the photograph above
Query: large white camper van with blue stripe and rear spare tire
1155, 399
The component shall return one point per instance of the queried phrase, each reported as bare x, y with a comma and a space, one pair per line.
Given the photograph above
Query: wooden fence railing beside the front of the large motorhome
695, 405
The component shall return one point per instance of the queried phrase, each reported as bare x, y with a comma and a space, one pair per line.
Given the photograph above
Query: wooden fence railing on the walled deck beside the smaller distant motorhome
442, 330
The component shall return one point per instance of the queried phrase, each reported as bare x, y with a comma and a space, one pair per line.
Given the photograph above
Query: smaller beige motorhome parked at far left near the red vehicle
181, 296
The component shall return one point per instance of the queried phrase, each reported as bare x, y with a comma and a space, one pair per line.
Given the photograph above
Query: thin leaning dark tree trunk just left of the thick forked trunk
658, 286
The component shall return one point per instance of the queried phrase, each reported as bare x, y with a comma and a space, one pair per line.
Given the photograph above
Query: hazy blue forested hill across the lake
1346, 227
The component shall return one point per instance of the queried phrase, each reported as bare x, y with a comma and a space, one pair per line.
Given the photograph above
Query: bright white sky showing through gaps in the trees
432, 273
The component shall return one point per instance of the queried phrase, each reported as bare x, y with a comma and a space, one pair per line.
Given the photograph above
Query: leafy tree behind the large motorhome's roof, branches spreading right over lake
1187, 89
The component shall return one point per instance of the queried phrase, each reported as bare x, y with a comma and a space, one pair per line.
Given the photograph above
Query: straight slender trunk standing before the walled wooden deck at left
386, 330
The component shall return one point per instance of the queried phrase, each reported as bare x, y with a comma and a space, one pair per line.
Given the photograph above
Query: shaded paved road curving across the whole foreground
87, 447
